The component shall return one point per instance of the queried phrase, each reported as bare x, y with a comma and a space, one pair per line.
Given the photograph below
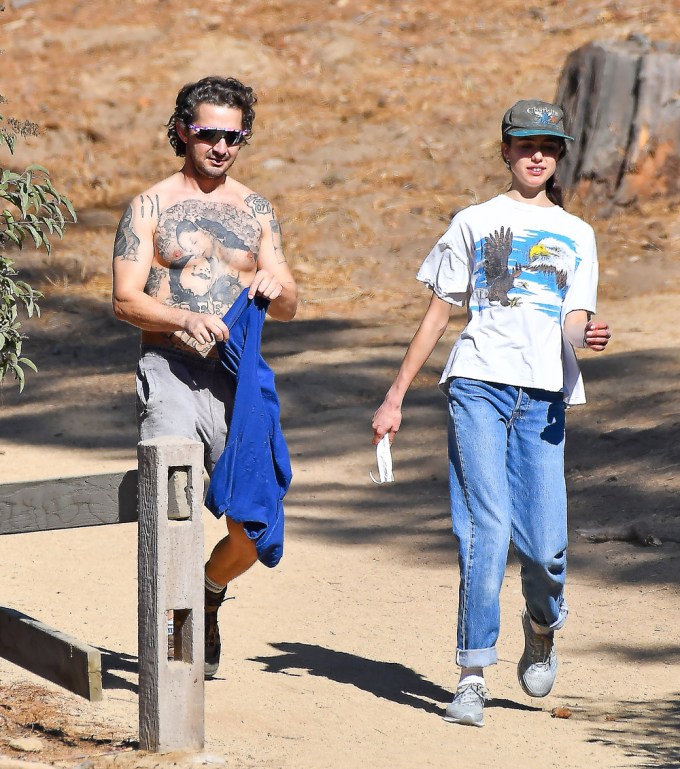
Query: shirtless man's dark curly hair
220, 91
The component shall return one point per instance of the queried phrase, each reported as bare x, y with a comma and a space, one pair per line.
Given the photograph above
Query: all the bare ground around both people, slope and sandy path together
375, 123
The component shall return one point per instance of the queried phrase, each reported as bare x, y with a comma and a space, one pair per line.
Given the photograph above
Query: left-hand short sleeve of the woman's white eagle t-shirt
446, 269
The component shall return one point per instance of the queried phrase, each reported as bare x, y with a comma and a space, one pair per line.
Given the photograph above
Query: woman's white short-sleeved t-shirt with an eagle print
520, 269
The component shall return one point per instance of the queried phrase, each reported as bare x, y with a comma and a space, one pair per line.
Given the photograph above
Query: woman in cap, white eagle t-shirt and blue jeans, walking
526, 271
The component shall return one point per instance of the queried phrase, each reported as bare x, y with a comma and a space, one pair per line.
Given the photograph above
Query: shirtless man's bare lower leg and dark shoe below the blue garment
231, 557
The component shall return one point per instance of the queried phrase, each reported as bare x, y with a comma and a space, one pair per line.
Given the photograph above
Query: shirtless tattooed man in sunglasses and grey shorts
184, 251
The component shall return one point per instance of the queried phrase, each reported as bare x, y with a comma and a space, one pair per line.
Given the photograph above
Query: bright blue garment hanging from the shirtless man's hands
253, 474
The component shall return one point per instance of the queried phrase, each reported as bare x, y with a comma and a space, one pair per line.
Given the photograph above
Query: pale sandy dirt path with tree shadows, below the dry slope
343, 655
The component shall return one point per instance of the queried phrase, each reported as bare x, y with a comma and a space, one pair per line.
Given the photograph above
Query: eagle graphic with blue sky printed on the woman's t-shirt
536, 266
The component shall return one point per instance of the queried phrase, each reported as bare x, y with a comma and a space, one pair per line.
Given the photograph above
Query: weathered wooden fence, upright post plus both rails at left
165, 496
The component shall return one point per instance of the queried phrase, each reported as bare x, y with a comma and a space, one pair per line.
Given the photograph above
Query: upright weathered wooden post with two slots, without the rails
171, 680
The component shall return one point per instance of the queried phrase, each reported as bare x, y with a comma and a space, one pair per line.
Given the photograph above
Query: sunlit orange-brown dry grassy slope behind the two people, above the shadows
376, 121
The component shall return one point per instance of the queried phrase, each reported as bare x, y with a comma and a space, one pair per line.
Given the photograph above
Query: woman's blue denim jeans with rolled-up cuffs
506, 478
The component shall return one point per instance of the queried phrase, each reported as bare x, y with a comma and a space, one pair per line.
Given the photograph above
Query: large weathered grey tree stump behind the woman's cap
622, 106
